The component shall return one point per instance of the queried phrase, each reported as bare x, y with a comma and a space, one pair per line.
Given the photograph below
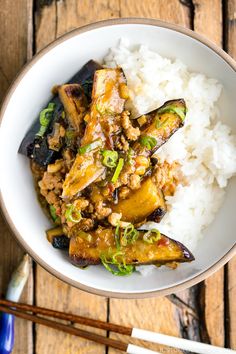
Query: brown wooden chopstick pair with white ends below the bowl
22, 311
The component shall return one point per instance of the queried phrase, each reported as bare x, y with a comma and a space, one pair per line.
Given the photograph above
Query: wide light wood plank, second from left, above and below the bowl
51, 22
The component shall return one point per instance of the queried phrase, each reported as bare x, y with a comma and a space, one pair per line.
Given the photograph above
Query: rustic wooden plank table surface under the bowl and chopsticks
205, 312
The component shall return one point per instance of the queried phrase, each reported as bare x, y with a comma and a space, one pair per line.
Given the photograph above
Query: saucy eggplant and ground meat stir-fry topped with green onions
97, 175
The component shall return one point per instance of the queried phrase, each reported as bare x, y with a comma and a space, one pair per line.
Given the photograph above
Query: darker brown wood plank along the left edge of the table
16, 48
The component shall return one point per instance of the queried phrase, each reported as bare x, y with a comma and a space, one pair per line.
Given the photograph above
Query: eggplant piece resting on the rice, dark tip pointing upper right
161, 125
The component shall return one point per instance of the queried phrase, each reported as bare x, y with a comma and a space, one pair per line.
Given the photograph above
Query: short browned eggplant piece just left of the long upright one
74, 102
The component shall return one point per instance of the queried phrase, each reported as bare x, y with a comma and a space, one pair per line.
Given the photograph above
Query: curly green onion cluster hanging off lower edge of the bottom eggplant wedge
119, 268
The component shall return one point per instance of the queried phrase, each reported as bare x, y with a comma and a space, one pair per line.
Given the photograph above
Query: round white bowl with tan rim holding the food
30, 92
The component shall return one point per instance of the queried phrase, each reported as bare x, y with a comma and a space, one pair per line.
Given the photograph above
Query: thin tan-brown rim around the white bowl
117, 21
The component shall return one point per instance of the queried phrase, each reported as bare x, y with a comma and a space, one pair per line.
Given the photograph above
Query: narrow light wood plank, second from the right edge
208, 21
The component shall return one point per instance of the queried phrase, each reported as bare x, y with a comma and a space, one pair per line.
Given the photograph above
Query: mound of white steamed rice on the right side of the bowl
205, 146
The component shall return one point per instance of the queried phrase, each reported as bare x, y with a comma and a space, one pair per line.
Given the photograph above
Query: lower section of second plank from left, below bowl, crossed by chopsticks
56, 295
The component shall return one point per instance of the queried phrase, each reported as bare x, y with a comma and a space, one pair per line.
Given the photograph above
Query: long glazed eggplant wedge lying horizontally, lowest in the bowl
88, 248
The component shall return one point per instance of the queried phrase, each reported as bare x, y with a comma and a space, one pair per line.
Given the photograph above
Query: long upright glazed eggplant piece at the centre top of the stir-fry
106, 103
